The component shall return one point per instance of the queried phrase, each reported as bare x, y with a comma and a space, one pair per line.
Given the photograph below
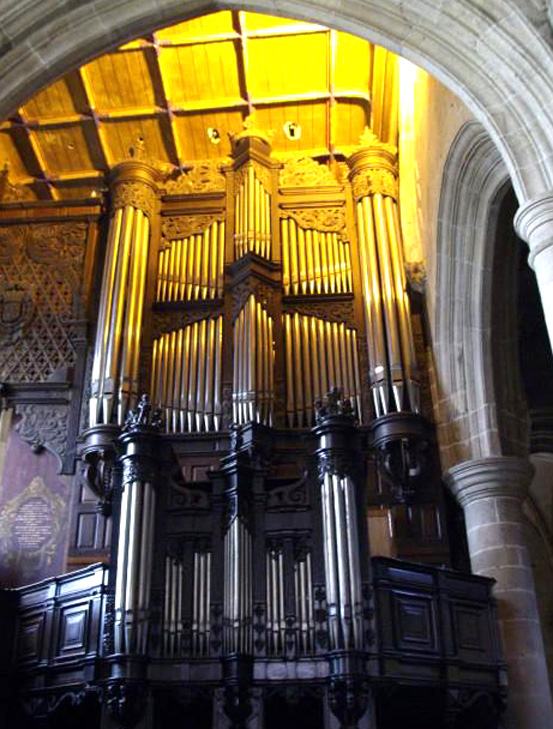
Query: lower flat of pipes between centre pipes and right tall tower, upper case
319, 355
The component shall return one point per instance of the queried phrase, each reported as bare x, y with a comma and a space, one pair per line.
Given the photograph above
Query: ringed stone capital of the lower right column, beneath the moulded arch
500, 476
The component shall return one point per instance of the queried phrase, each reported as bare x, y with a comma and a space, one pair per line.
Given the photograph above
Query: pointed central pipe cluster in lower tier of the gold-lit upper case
254, 357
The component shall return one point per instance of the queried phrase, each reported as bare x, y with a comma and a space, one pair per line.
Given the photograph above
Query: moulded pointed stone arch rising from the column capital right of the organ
479, 410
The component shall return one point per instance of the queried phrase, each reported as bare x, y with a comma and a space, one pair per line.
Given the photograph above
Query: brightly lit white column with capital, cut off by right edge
534, 224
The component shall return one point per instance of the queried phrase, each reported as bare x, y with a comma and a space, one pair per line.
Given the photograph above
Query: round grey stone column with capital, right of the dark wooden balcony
491, 492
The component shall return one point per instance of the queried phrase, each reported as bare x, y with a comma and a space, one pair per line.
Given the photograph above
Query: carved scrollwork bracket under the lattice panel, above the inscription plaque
44, 426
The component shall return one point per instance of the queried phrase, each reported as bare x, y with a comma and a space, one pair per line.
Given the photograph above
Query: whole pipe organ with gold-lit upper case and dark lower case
269, 319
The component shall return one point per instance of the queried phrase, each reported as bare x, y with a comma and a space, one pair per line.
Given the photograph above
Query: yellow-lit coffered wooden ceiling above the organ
173, 86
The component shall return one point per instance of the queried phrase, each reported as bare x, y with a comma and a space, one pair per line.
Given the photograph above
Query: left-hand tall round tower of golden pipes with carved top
115, 366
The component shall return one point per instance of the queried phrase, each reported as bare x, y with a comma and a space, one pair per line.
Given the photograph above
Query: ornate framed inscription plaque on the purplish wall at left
30, 528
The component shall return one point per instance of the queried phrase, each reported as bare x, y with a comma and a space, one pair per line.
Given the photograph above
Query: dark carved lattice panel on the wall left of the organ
41, 267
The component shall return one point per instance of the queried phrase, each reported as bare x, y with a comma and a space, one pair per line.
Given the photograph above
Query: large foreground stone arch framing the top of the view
493, 57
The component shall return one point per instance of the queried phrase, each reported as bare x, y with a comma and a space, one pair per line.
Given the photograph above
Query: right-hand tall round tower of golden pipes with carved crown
391, 353
